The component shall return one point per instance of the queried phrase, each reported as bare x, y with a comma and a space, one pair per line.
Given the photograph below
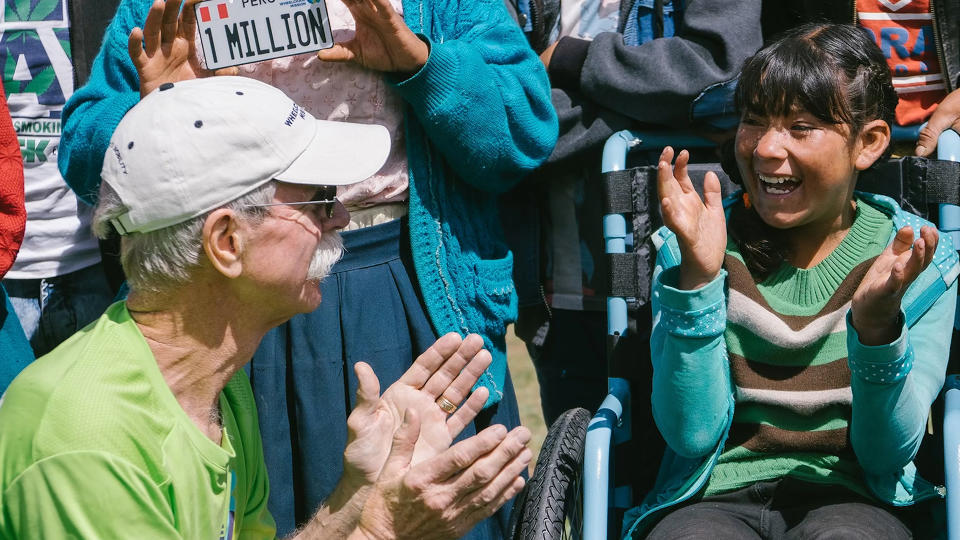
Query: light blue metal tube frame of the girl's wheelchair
611, 423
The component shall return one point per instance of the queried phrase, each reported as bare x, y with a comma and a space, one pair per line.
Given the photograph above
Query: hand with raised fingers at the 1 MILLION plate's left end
165, 50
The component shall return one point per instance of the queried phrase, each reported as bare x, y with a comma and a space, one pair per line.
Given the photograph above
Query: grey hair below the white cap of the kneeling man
157, 260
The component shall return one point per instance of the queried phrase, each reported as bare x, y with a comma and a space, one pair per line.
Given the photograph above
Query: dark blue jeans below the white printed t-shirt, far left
53, 309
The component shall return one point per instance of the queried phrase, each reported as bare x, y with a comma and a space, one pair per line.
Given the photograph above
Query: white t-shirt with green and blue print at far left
38, 79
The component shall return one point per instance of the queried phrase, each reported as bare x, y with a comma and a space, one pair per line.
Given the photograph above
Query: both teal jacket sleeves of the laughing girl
692, 387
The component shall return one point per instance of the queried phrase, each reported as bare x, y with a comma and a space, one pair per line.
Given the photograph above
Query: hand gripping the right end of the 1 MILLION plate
383, 42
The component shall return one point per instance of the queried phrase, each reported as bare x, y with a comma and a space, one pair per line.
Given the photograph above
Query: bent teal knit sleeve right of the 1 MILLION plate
483, 97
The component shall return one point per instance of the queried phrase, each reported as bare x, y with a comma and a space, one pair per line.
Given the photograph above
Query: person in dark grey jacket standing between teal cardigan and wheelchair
613, 65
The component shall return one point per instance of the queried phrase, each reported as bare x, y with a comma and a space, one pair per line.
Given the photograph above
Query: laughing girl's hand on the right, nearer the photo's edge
875, 307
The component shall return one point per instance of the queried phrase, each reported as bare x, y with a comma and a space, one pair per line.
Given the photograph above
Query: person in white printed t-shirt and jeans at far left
56, 285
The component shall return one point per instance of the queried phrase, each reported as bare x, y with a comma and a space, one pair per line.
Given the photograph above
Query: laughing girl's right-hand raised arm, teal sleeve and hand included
896, 371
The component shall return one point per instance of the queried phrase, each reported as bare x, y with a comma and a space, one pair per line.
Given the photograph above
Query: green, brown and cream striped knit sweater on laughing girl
786, 344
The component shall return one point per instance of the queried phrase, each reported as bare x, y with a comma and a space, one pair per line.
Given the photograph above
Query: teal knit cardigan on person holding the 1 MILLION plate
478, 119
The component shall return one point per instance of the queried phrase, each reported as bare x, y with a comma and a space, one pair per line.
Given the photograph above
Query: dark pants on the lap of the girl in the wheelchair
788, 509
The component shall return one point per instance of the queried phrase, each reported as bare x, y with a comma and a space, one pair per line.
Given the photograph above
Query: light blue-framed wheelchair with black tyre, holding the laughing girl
584, 480
